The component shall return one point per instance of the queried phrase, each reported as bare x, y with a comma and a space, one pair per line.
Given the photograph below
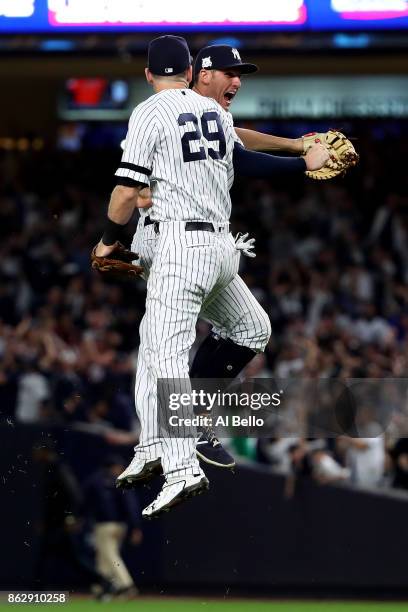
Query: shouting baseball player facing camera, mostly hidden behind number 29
241, 326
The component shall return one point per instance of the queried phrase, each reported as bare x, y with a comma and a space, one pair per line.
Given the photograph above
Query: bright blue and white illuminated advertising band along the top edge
46, 16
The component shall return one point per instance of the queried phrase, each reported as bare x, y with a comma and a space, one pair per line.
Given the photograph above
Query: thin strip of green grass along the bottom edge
243, 605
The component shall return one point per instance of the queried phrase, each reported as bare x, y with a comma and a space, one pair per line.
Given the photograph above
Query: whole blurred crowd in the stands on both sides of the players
331, 271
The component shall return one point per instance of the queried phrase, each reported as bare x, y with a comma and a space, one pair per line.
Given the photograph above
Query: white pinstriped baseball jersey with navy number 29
184, 143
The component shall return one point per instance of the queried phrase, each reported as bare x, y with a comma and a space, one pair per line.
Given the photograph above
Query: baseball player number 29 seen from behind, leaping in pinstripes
185, 146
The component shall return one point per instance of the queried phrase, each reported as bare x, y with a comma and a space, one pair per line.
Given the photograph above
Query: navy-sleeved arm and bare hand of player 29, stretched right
261, 165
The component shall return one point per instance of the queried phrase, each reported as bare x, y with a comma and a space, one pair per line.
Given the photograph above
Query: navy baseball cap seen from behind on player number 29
168, 55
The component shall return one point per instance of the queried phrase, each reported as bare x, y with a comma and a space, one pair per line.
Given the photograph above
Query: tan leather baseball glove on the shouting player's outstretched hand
342, 154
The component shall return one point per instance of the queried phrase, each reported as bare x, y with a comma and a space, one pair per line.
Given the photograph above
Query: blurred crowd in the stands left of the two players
68, 340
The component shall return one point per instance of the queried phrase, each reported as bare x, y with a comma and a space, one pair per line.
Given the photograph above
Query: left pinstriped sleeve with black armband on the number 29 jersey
136, 164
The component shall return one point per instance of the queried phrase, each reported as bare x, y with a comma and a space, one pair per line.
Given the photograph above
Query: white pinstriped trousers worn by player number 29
187, 267
